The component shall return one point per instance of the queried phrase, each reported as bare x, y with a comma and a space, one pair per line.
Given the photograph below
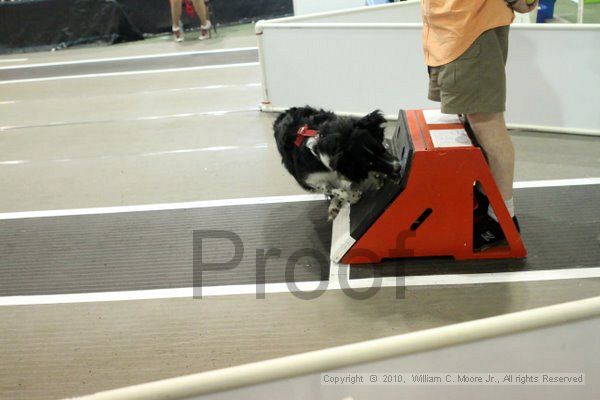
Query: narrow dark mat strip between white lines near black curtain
142, 64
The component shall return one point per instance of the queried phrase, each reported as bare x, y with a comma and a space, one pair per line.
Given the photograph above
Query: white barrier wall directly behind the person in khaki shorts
553, 71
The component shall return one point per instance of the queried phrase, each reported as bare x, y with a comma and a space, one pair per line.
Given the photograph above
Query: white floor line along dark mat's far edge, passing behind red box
243, 201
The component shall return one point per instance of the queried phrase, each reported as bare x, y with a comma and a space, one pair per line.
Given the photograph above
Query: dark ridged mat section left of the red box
155, 249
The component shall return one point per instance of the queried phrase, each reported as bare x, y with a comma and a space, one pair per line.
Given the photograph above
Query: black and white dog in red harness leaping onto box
341, 157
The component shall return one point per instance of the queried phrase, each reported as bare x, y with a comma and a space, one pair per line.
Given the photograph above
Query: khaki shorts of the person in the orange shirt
475, 81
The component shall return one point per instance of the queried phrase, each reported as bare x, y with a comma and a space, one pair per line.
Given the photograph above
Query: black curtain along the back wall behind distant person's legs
27, 25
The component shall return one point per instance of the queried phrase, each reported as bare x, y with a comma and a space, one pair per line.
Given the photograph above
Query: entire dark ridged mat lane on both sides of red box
155, 249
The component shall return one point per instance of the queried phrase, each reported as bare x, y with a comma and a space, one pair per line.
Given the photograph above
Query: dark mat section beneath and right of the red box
560, 227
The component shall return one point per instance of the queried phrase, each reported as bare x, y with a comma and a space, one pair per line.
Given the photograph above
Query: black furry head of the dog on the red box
354, 147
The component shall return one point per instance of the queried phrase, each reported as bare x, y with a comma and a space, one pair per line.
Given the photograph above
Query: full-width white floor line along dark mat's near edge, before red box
273, 288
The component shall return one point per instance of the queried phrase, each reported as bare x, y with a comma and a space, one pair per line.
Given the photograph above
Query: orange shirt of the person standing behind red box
451, 26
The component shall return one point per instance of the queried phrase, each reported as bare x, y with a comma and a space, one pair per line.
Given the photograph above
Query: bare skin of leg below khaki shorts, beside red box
491, 133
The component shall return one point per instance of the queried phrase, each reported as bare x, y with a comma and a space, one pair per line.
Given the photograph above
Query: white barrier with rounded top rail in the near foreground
559, 340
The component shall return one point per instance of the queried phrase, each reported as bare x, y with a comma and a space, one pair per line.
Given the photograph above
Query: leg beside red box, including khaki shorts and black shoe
475, 85
